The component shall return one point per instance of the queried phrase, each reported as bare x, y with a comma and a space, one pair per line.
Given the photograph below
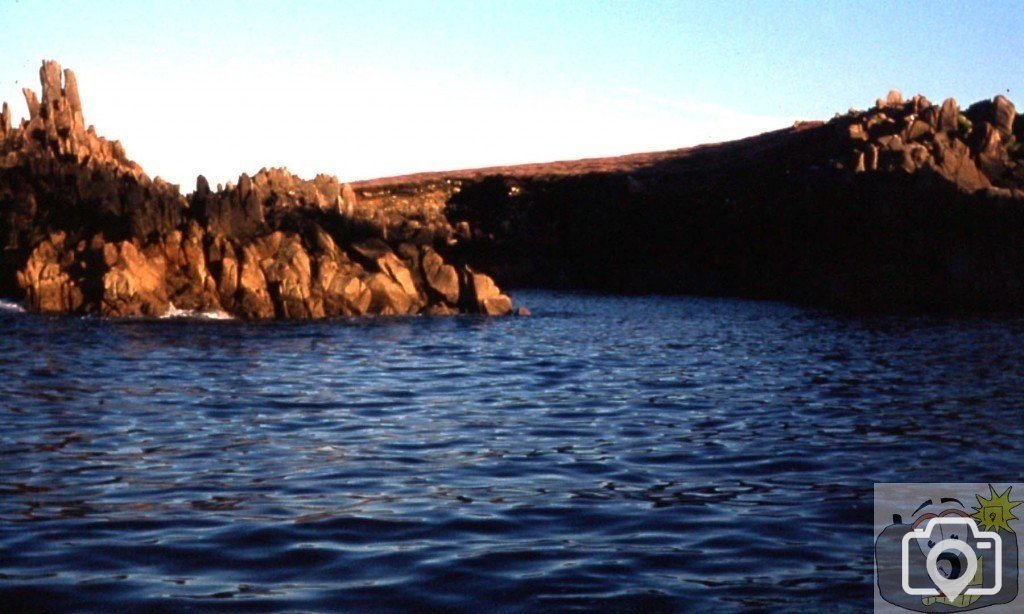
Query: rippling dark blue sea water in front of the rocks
673, 454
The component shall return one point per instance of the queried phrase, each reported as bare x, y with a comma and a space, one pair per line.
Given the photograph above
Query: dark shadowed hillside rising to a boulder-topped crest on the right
908, 206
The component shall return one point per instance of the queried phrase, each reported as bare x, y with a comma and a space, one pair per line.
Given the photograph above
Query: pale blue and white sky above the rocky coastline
378, 89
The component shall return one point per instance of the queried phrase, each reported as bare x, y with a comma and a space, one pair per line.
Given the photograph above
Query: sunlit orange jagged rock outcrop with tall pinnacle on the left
84, 231
